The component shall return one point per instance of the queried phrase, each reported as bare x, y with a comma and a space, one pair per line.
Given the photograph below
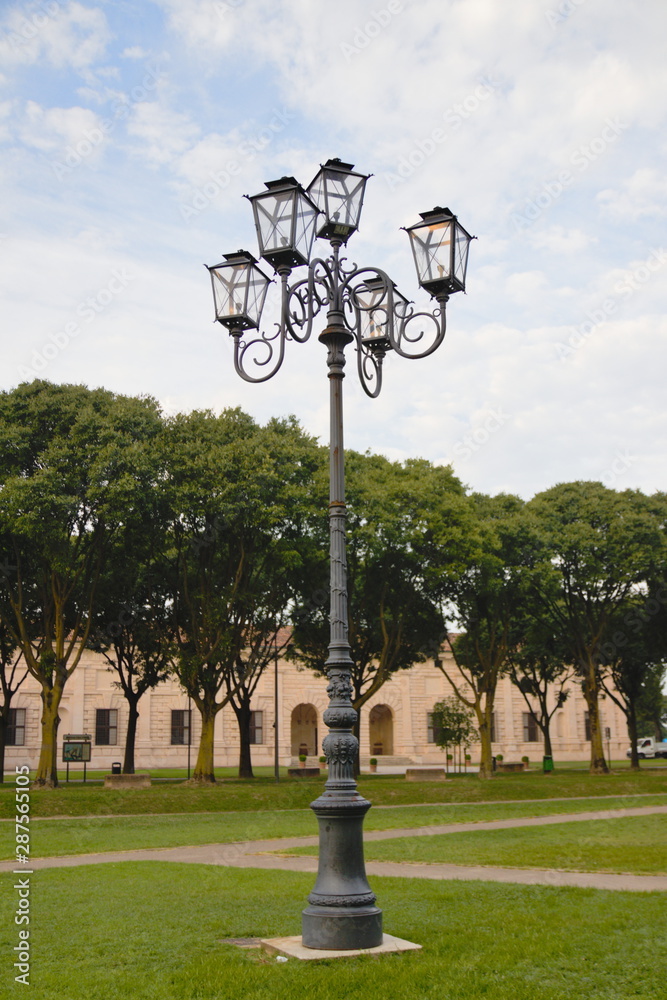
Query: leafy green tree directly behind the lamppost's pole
394, 619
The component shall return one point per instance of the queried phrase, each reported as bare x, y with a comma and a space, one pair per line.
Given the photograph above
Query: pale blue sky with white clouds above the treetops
131, 129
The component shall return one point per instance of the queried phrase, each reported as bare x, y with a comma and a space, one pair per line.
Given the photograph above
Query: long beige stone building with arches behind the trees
394, 723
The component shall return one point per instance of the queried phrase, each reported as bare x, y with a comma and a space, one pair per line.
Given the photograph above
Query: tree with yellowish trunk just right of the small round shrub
485, 600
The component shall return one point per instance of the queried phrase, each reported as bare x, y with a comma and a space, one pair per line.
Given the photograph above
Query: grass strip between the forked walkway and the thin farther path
50, 837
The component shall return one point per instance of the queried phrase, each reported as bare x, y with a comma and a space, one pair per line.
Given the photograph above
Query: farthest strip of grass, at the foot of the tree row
263, 793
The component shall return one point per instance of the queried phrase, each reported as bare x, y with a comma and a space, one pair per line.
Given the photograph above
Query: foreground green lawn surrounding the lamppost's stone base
151, 931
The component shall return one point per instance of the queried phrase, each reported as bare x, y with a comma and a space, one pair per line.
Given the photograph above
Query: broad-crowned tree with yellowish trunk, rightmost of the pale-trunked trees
600, 547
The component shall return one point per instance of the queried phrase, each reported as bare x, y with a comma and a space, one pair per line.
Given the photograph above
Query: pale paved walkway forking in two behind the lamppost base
260, 854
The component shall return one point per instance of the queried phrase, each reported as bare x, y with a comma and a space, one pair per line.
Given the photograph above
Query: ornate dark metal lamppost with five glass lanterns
362, 307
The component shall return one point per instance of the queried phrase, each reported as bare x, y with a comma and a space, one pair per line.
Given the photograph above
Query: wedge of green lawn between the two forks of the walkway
630, 844
